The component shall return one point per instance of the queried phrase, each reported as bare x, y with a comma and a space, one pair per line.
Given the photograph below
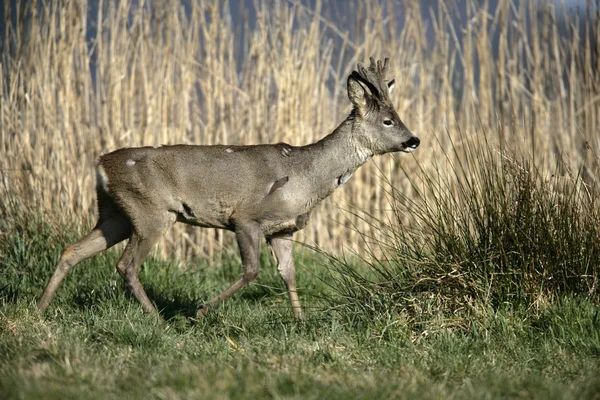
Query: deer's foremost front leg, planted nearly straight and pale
281, 247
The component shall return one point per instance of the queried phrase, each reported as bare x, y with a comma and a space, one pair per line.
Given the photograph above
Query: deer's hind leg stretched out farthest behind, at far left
107, 233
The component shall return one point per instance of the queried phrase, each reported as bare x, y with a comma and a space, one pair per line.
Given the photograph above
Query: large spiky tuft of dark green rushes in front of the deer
485, 233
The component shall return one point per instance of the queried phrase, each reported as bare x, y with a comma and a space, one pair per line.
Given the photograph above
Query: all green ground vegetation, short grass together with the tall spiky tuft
489, 289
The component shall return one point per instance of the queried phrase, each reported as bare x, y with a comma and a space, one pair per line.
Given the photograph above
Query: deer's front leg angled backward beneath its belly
248, 236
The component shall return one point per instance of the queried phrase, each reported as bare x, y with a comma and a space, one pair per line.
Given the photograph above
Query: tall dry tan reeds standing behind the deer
162, 73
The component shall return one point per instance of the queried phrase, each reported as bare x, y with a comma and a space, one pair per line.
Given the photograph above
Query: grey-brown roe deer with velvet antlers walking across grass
256, 191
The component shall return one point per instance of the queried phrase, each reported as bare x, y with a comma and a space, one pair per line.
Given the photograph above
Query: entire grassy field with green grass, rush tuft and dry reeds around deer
469, 269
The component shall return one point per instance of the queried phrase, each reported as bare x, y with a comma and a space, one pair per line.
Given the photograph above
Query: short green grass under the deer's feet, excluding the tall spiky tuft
95, 342
